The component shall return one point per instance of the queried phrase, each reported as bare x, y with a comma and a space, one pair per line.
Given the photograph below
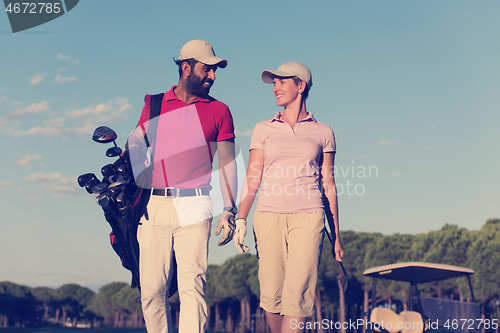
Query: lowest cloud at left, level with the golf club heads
55, 182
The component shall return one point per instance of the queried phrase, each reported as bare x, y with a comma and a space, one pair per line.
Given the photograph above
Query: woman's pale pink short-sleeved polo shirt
292, 164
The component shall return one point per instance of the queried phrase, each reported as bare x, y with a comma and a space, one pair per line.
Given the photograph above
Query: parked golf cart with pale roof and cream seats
423, 314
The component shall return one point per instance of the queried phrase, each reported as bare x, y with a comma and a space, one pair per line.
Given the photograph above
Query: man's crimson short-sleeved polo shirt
186, 138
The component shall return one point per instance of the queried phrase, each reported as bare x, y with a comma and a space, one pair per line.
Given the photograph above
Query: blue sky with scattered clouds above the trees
410, 88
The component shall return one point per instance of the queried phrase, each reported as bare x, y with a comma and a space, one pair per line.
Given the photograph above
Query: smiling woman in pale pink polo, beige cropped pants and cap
291, 157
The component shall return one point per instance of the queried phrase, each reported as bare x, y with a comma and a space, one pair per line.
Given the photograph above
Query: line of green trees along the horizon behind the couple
233, 287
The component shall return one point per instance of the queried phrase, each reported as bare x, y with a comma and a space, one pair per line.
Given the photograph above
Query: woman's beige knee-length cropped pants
289, 248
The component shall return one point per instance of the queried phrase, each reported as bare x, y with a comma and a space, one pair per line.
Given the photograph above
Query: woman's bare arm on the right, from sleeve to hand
331, 203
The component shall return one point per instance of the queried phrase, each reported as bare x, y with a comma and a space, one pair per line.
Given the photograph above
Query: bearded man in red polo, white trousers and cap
192, 126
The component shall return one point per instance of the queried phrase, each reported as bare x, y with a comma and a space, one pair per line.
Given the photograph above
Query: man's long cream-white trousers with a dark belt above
158, 237
